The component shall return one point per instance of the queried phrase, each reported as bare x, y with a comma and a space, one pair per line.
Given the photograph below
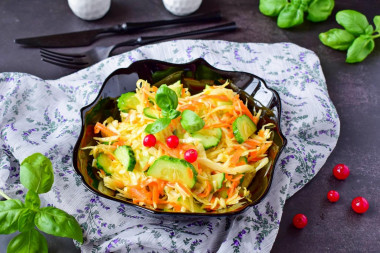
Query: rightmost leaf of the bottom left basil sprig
57, 222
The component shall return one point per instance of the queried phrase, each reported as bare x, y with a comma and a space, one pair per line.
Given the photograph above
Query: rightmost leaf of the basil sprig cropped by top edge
320, 10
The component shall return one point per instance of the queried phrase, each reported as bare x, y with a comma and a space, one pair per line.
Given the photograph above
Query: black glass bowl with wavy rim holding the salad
248, 86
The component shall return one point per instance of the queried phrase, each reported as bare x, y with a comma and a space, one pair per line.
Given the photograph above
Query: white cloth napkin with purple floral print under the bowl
43, 116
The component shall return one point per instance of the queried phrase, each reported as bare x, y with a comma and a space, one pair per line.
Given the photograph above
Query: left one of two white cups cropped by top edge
90, 9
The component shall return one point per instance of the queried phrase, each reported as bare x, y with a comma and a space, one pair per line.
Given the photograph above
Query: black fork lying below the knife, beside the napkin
92, 56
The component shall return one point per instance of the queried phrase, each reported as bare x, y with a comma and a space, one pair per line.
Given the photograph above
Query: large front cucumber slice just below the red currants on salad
173, 170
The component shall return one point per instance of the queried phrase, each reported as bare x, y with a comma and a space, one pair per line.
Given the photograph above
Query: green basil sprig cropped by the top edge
291, 13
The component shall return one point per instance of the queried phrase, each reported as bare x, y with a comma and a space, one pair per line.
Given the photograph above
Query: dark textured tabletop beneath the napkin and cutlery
354, 89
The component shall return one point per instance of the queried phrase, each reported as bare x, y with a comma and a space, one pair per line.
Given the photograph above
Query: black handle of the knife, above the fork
137, 26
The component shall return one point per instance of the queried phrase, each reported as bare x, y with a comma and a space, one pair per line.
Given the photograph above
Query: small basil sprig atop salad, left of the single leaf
167, 100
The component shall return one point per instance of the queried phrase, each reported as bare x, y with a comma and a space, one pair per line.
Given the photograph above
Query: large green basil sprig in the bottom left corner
36, 174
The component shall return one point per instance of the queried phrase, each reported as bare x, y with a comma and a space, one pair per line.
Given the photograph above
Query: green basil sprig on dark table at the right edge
357, 36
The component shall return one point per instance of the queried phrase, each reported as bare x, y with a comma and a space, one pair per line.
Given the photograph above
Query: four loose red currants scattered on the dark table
358, 204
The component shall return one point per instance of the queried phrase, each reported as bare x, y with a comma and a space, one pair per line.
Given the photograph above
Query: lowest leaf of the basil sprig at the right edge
360, 49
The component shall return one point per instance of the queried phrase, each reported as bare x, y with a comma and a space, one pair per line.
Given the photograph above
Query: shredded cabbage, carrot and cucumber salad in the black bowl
179, 152
